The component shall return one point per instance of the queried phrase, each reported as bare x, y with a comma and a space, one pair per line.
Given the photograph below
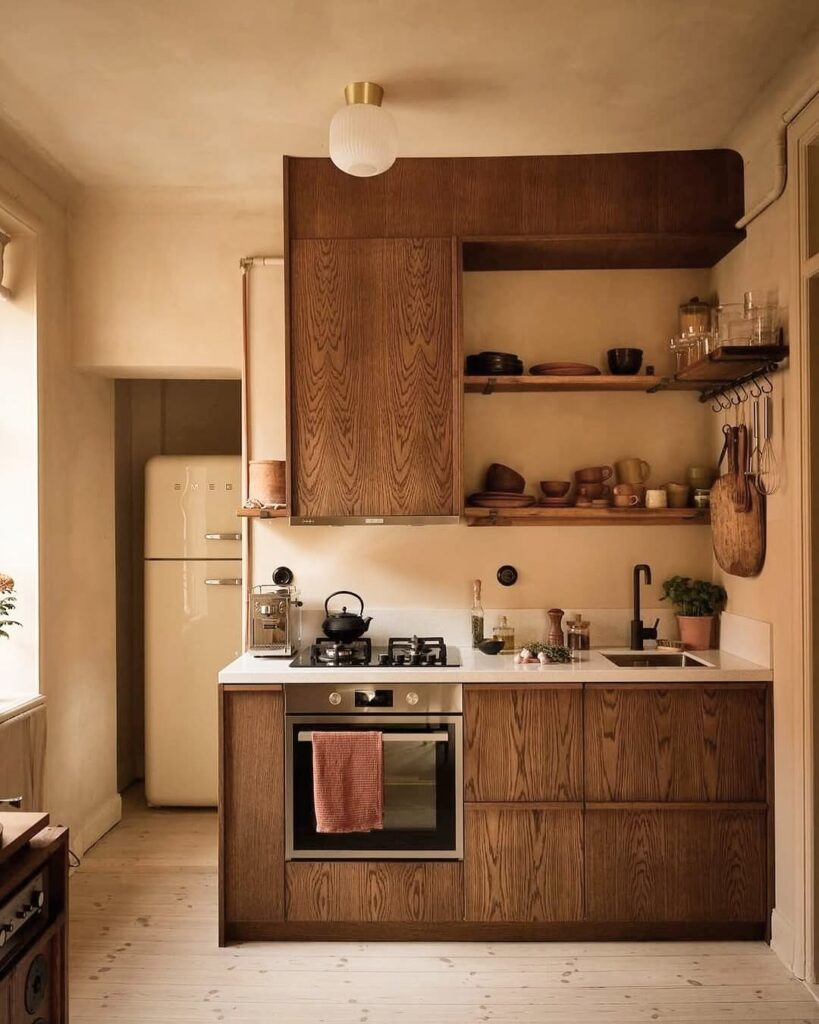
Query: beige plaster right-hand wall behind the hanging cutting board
765, 264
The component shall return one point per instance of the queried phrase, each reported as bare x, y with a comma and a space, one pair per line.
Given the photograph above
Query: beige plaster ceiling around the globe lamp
208, 94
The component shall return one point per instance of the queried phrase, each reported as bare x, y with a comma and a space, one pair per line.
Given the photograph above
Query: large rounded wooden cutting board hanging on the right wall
739, 537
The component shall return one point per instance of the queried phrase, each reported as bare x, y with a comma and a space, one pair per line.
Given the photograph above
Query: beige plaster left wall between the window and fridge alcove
77, 664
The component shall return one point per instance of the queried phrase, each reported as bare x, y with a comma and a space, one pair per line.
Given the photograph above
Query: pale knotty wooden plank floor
144, 949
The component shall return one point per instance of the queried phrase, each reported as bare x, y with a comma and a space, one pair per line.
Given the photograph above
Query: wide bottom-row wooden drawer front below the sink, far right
680, 866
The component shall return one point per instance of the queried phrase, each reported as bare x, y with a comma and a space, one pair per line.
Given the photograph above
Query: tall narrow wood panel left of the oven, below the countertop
251, 807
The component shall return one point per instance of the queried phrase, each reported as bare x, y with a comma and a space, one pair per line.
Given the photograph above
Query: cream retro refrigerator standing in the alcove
193, 584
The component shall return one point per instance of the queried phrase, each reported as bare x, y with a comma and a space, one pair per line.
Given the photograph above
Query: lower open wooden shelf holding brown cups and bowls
536, 516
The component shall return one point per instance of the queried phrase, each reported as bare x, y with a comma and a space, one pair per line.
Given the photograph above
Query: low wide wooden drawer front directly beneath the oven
379, 891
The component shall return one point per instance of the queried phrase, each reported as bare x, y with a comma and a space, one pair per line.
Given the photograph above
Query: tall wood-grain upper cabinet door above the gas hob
374, 378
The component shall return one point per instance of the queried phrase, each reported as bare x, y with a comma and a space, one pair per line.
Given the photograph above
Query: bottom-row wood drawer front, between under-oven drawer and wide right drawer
524, 864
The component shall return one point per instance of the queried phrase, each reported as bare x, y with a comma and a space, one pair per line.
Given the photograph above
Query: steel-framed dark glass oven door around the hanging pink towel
419, 791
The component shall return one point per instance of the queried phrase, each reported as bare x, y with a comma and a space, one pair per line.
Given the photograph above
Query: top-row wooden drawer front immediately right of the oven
523, 745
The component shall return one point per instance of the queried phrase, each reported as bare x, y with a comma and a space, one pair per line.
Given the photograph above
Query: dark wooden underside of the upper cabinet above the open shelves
599, 252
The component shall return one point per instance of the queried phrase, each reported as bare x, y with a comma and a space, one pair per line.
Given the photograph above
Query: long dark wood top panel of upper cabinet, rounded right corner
689, 192
